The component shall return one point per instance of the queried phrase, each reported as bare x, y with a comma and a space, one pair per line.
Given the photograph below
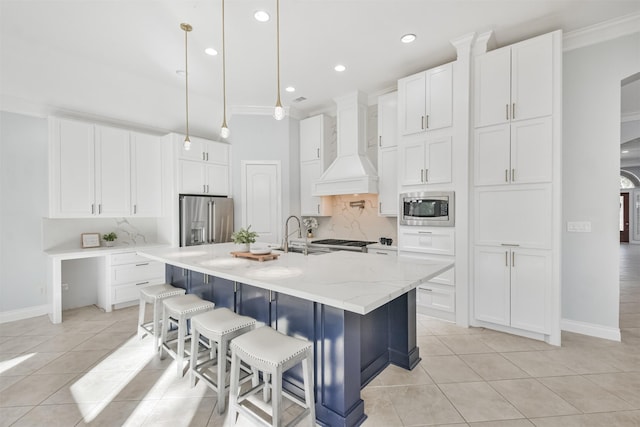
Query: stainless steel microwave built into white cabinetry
427, 208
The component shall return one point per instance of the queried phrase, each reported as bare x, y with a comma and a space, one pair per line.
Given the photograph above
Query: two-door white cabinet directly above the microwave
426, 160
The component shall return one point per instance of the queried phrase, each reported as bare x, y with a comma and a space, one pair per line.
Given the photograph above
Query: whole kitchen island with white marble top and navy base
359, 309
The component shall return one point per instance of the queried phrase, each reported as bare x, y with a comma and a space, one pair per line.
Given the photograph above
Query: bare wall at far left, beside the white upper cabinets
23, 203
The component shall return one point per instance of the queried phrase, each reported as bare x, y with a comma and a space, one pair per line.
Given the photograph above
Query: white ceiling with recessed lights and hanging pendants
117, 59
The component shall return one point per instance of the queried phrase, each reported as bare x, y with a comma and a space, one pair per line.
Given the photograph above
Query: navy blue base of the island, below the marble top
350, 349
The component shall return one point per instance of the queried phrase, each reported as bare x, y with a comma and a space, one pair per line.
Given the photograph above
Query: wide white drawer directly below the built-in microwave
432, 240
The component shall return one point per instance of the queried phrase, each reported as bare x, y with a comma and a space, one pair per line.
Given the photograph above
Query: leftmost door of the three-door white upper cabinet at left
72, 169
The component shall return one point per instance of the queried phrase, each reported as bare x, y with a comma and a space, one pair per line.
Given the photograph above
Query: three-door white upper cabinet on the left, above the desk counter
102, 171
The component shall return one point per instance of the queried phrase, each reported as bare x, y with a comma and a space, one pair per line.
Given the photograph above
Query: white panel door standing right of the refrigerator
261, 199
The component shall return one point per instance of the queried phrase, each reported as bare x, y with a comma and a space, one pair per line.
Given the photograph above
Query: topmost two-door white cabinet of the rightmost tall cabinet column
515, 82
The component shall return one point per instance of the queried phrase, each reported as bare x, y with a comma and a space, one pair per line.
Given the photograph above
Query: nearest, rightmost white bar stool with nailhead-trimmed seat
273, 353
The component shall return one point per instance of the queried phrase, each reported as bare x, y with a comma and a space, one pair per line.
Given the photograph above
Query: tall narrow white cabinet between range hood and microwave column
388, 154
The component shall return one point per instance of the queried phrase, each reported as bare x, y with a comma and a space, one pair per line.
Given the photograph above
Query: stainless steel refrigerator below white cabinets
205, 219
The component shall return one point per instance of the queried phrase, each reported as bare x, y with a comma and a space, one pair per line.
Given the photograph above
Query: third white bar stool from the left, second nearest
219, 326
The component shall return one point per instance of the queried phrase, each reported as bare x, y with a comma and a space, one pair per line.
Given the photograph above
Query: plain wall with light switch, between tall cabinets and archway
591, 170
